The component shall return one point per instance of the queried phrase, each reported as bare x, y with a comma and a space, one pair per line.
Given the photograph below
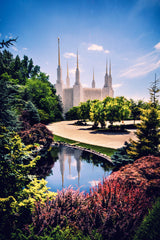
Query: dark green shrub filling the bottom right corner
150, 227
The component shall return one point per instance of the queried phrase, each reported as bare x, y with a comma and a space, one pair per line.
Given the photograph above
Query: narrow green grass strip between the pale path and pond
106, 151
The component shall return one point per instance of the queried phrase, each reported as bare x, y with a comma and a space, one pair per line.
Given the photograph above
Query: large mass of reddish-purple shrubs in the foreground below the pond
114, 209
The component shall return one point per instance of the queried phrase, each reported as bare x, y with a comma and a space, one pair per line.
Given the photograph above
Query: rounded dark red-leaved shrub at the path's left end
38, 133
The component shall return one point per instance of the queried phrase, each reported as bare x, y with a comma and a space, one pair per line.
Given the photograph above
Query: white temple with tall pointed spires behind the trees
72, 96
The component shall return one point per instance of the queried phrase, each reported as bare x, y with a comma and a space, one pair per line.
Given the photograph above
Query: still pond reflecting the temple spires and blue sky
73, 167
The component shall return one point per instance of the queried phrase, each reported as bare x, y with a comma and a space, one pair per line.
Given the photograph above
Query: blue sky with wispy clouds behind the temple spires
125, 32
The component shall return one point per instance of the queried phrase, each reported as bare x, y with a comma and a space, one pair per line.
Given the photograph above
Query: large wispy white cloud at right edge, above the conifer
143, 65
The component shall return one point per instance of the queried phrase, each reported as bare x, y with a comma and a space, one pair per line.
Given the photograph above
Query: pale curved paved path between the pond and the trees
84, 134
